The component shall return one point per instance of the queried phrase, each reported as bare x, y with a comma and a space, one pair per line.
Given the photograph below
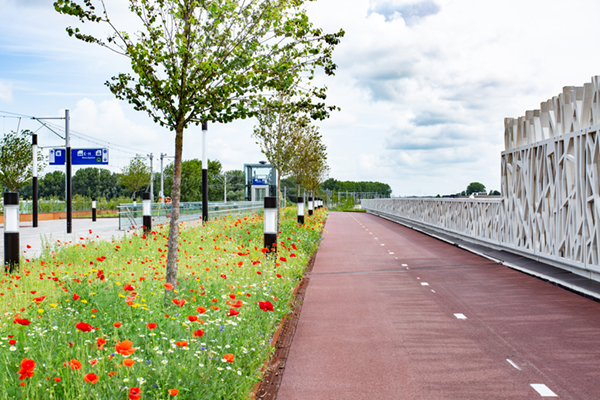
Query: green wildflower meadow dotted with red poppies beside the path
89, 320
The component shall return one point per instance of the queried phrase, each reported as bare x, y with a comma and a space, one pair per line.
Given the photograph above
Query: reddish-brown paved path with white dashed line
390, 313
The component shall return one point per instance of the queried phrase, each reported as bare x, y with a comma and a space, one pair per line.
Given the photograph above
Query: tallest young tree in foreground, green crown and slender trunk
210, 61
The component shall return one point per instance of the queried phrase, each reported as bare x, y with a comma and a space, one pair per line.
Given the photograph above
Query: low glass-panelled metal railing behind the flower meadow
130, 215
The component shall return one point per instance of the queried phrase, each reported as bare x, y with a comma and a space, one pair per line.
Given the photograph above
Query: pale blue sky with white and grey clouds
423, 85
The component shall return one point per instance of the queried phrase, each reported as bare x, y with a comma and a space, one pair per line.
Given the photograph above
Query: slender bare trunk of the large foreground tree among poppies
174, 224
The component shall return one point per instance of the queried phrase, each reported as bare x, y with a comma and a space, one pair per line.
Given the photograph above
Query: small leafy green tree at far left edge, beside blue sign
16, 155
